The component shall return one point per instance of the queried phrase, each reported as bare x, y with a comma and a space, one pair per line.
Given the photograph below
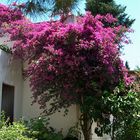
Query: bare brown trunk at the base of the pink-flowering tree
86, 124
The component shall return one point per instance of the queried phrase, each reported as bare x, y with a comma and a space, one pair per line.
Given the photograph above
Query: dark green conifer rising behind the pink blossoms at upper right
109, 6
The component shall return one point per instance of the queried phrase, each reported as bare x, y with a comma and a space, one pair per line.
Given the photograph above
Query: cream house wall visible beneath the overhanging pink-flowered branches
57, 120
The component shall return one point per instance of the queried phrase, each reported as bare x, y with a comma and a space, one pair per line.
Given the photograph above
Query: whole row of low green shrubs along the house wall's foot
34, 129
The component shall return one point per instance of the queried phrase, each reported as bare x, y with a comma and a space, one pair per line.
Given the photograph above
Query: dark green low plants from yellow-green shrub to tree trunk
38, 128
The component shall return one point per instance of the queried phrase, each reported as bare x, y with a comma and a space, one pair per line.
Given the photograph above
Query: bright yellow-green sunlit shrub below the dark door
12, 131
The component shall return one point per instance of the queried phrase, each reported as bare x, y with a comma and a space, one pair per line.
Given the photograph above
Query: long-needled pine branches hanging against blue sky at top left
50, 7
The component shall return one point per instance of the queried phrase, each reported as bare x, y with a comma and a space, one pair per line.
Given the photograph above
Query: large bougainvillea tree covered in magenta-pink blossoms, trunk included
69, 64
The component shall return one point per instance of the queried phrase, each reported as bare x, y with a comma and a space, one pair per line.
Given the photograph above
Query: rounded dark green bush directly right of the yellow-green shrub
38, 129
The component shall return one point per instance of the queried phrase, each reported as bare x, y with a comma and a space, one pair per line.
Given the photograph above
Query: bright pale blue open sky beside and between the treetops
131, 52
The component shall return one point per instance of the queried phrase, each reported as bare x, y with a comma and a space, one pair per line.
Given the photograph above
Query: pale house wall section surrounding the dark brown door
10, 74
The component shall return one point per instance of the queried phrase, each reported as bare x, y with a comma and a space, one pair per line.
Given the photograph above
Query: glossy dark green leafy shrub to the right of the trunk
124, 107
